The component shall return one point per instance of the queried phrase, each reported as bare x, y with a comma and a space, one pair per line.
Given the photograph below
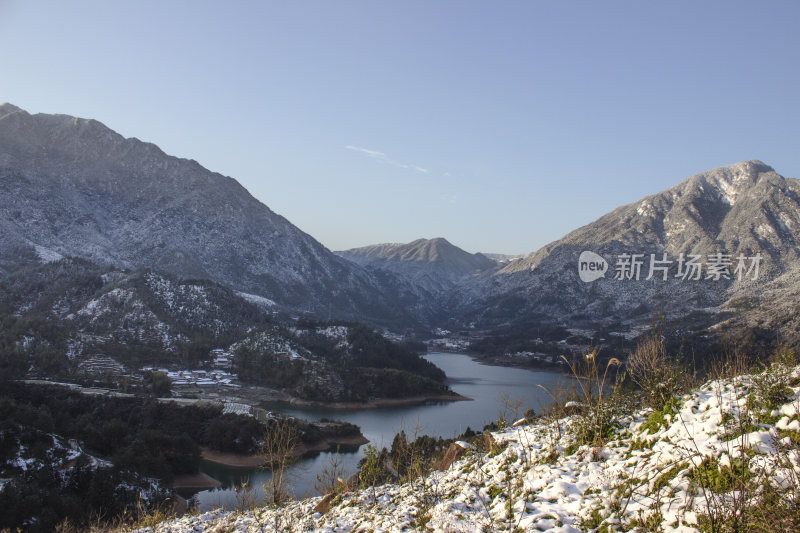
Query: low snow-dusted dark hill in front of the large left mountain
139, 317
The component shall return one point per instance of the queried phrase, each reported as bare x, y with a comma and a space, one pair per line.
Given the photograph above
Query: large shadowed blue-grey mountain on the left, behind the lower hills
73, 187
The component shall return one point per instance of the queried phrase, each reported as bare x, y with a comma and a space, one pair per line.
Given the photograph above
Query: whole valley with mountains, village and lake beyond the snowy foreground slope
159, 325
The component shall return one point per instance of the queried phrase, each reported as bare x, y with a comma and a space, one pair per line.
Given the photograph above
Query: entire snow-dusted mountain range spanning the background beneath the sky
73, 187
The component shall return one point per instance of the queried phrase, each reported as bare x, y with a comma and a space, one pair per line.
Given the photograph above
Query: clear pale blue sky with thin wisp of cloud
500, 126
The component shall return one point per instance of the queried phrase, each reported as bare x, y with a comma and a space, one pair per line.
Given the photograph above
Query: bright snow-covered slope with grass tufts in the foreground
541, 482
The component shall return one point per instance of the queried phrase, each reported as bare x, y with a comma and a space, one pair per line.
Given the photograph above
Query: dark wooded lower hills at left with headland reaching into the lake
73, 320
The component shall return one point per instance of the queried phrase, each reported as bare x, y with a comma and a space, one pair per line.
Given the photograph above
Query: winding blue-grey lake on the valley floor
488, 386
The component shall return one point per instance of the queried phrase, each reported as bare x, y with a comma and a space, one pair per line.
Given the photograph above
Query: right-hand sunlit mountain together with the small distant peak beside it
733, 216
